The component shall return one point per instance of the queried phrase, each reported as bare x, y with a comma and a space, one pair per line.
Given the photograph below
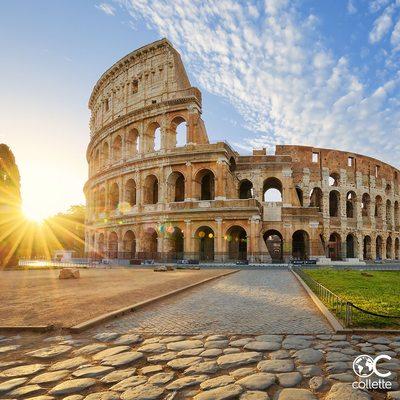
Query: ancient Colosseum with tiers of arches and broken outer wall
158, 189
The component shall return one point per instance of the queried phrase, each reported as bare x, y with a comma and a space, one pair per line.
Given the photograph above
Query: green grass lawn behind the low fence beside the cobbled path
375, 291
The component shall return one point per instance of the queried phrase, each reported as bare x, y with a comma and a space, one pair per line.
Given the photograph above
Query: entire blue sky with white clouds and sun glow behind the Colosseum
322, 73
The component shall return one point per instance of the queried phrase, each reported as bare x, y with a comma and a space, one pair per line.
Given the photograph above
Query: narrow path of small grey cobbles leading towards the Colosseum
248, 302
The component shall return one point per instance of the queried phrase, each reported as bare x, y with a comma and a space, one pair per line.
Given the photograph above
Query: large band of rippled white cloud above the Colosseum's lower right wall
272, 63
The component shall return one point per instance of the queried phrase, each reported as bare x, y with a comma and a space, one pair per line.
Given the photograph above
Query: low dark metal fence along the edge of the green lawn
350, 314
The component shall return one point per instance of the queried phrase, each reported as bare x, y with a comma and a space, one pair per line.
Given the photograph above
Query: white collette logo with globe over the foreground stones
364, 366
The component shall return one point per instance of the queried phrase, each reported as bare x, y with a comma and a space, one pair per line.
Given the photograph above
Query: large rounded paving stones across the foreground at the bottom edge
110, 366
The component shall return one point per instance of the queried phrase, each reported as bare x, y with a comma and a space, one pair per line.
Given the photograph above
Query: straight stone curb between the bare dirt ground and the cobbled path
113, 314
